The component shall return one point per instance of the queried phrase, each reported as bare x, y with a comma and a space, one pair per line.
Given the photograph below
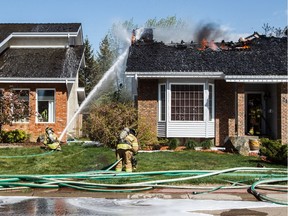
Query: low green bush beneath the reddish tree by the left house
14, 136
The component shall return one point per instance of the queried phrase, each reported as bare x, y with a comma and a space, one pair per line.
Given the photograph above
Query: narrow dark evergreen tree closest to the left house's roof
86, 74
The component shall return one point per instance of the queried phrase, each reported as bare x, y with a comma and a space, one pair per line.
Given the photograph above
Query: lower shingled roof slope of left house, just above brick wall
41, 63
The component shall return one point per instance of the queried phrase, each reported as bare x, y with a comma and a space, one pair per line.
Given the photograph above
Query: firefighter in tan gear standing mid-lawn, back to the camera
126, 148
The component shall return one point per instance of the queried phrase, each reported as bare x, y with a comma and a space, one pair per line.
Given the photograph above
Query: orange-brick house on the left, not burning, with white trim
41, 62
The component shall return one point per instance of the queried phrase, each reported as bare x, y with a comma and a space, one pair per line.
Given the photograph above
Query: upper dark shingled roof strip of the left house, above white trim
8, 28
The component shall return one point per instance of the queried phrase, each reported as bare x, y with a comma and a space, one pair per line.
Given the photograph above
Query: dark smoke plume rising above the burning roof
209, 31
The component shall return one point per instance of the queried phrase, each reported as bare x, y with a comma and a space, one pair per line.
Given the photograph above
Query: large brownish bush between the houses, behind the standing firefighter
106, 120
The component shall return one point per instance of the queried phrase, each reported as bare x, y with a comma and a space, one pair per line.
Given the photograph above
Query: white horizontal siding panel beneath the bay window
191, 129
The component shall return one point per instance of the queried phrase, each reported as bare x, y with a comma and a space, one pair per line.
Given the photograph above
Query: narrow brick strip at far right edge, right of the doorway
283, 113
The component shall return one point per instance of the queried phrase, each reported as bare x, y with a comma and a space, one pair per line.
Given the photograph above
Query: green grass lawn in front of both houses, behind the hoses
75, 158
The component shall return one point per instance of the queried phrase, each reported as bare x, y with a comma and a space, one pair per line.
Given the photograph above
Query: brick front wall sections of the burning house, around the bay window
229, 108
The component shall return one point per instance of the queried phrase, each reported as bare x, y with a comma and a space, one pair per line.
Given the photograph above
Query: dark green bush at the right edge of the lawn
274, 151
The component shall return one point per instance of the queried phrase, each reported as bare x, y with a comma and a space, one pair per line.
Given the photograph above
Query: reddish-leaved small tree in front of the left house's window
12, 108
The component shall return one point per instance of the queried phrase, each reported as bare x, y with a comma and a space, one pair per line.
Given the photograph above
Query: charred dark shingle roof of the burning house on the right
266, 56
